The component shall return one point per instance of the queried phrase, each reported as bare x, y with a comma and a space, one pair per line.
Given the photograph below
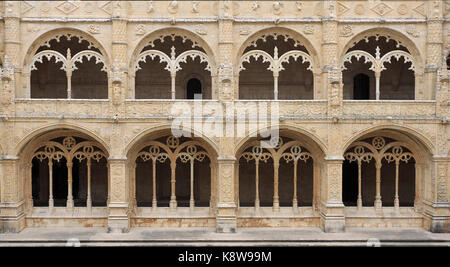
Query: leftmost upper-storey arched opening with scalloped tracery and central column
68, 65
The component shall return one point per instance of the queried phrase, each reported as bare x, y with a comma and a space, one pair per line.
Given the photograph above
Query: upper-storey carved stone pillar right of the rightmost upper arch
434, 49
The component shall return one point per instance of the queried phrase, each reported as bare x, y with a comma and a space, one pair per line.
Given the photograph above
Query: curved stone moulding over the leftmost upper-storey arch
50, 34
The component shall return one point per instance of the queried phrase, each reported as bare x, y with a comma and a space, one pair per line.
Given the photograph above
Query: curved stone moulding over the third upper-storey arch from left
280, 31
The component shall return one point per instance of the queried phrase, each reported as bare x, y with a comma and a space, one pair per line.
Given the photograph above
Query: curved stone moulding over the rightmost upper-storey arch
393, 34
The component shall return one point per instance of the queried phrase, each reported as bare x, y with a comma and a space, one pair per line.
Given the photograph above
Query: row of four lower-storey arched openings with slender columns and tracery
66, 173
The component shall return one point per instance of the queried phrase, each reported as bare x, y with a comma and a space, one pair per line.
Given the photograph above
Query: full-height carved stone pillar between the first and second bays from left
119, 195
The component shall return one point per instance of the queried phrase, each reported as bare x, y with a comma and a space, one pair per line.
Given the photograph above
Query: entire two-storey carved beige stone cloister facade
227, 39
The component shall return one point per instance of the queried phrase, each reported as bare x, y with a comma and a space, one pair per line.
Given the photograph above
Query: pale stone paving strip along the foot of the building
207, 236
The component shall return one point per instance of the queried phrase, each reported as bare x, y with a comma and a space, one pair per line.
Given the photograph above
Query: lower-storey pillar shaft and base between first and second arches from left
118, 218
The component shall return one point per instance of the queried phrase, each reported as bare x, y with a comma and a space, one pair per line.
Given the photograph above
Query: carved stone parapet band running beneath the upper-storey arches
166, 108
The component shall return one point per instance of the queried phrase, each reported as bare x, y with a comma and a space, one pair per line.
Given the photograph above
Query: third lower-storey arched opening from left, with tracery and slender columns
278, 176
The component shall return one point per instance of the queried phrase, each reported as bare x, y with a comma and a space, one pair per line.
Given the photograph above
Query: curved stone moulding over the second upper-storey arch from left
156, 34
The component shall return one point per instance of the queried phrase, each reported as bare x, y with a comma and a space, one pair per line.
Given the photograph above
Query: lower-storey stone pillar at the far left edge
11, 204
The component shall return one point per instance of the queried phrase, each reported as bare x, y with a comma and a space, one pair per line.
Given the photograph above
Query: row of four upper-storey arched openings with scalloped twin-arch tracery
176, 66
